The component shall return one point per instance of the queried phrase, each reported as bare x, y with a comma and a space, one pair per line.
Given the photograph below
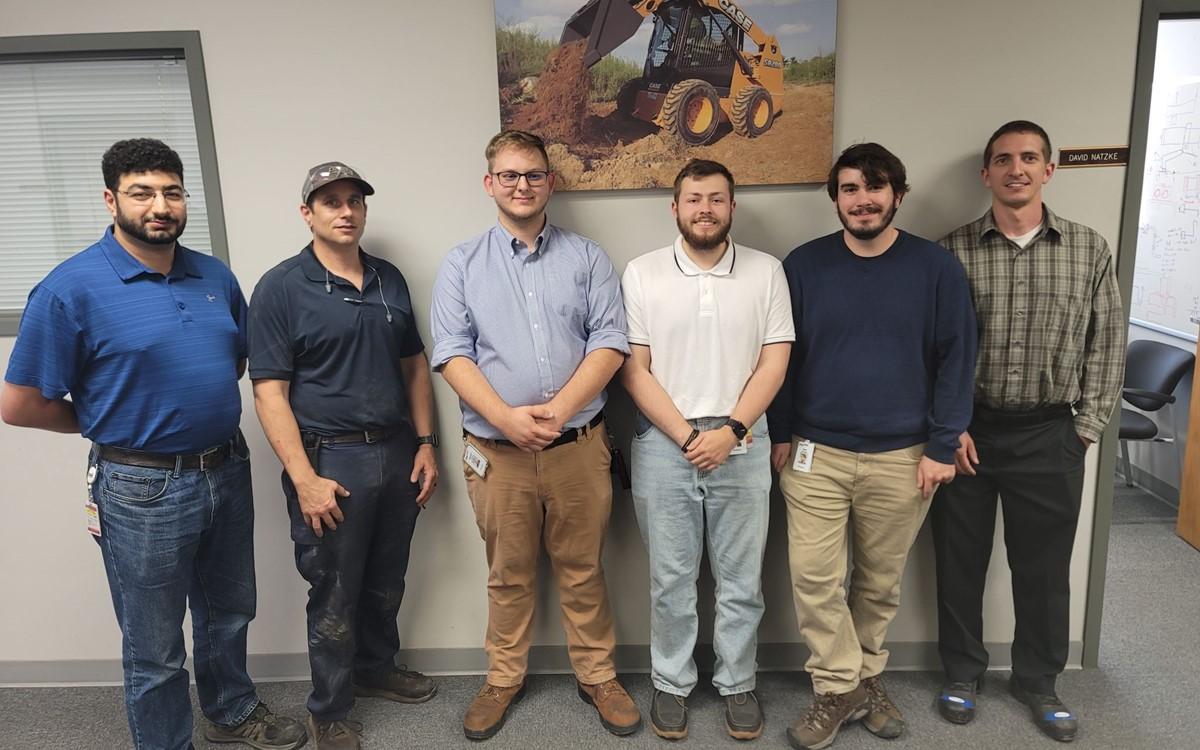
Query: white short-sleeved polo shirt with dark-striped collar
706, 329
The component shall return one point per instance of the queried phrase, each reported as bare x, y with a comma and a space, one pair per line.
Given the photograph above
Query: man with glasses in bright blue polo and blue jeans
169, 477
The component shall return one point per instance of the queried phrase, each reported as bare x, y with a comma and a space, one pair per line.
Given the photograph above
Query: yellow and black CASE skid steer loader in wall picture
695, 68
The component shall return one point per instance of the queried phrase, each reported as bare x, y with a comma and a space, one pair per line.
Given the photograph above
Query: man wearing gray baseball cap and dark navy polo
344, 392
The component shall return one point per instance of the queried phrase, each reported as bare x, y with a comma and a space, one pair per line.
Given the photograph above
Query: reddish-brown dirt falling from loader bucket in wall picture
561, 110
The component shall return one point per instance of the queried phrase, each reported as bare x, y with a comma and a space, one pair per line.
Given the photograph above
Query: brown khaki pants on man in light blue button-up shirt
562, 496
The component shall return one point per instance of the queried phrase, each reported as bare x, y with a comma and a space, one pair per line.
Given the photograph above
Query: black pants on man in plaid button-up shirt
1036, 466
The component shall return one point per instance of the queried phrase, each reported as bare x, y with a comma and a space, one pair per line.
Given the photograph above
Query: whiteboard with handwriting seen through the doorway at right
1167, 274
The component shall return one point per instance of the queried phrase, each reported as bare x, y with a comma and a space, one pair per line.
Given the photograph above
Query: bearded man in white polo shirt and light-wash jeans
711, 332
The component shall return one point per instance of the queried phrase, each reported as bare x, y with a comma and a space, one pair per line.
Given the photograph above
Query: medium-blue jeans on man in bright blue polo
172, 541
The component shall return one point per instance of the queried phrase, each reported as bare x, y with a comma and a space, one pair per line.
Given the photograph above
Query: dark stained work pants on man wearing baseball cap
357, 573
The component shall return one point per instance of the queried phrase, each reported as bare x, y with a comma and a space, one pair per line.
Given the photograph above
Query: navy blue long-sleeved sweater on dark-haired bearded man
885, 349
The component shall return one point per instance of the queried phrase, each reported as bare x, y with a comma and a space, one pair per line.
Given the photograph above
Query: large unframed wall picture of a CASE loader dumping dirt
625, 92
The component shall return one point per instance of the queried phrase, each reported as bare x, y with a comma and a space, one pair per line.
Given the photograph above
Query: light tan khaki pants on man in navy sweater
873, 500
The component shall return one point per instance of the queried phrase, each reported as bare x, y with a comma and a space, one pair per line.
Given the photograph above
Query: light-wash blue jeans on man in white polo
680, 507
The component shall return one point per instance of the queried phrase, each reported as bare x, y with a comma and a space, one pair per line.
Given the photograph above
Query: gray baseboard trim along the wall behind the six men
919, 656
